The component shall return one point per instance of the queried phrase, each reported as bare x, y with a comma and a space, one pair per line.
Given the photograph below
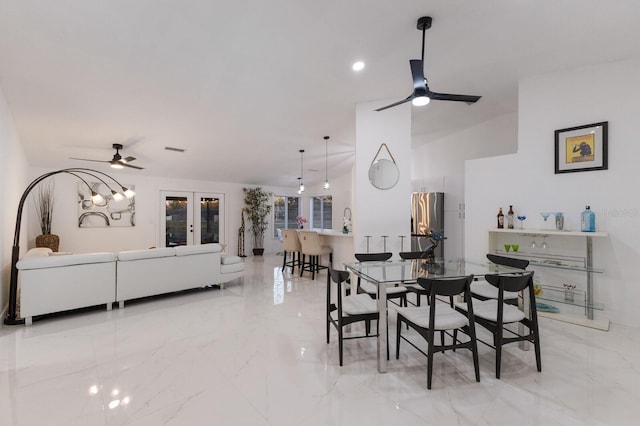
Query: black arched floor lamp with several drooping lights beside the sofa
12, 318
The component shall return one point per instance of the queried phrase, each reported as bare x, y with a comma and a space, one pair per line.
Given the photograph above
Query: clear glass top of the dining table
411, 270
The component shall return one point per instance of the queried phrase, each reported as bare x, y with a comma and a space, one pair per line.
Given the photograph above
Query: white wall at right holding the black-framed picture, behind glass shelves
607, 92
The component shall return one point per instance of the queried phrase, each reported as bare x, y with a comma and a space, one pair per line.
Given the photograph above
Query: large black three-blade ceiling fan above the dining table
421, 93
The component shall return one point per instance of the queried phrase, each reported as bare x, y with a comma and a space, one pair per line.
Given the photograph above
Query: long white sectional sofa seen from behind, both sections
54, 283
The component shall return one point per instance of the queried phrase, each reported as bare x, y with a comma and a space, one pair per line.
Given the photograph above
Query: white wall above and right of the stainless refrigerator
438, 166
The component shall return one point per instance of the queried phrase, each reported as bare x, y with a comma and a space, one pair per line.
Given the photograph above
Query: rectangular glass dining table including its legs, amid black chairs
389, 273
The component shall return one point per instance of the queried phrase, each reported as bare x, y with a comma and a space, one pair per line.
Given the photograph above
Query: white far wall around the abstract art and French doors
146, 233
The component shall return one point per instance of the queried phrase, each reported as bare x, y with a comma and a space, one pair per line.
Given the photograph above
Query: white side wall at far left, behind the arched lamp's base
13, 180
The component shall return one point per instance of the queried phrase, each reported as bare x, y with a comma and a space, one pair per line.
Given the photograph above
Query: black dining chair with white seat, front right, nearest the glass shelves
494, 314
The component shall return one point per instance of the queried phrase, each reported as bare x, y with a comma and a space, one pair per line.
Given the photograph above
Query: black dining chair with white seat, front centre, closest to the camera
441, 316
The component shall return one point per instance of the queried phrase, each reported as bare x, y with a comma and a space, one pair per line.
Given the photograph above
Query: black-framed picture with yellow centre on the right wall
582, 148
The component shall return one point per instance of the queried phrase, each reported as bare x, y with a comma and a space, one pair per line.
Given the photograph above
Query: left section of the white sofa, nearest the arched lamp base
60, 283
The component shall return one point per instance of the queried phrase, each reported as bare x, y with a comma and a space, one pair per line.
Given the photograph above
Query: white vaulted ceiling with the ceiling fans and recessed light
243, 85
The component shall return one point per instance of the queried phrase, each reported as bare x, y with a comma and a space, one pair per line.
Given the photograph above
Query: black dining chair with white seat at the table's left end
348, 310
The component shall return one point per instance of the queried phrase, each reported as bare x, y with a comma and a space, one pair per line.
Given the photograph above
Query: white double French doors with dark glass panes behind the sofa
191, 218
